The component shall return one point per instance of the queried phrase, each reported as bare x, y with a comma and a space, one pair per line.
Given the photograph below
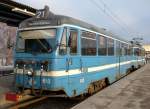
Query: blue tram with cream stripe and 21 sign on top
58, 53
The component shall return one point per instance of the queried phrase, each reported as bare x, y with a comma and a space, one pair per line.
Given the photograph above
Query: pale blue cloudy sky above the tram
127, 18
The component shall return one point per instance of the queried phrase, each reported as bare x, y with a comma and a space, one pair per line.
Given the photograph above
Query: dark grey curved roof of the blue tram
55, 20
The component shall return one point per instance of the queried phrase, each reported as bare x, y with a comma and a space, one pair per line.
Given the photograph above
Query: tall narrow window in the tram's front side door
72, 41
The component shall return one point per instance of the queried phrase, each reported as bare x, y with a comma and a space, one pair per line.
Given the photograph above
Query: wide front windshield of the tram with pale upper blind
36, 41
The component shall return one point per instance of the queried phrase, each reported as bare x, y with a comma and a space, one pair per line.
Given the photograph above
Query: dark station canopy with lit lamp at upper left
13, 13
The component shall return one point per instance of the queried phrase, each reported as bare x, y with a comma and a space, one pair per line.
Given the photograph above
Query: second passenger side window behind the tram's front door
102, 50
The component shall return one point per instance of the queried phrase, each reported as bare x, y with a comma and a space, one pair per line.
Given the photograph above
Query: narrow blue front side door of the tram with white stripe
74, 60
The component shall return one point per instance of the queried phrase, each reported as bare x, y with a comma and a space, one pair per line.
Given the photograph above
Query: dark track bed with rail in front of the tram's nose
46, 102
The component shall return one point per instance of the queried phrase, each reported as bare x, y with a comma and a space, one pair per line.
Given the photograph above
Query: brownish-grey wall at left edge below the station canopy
7, 37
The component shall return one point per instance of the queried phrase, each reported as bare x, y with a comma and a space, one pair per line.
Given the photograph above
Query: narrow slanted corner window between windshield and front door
63, 47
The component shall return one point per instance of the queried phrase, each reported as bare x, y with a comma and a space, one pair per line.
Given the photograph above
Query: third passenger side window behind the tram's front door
110, 44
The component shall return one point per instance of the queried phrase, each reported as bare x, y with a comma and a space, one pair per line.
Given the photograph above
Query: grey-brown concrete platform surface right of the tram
131, 92
